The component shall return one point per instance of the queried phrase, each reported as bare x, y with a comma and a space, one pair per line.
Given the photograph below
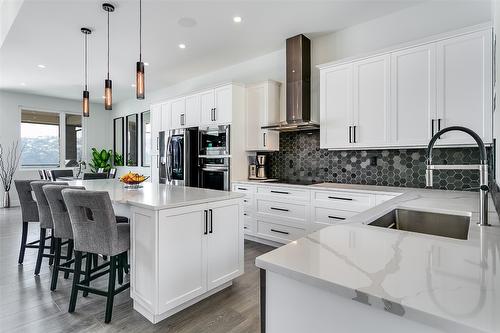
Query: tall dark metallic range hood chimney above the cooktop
298, 87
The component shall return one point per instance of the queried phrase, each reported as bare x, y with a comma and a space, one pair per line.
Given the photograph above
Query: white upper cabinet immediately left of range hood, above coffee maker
262, 108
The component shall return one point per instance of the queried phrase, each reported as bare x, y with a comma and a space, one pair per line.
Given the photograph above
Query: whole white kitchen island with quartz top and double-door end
186, 243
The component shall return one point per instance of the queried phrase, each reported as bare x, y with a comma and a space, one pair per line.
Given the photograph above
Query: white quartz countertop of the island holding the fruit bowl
156, 196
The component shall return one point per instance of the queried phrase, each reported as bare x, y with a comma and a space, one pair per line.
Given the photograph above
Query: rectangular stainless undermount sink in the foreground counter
445, 225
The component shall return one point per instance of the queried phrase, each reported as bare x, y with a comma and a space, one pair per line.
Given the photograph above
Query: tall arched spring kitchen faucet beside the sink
482, 167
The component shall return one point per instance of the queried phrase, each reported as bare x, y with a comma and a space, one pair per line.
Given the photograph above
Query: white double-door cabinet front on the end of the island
199, 249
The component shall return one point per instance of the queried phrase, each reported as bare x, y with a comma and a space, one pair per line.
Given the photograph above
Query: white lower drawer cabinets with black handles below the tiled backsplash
283, 214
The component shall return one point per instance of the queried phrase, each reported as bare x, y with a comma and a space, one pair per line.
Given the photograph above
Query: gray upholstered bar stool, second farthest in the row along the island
45, 221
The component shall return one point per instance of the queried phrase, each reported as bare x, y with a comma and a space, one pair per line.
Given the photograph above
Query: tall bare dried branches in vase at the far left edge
9, 161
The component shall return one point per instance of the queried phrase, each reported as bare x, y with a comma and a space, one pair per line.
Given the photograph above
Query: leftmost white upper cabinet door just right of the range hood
336, 99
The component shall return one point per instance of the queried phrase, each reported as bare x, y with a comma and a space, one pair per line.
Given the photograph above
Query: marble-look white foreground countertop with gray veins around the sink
452, 283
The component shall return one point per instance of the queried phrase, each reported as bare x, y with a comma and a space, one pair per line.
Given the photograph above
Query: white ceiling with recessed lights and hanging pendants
48, 32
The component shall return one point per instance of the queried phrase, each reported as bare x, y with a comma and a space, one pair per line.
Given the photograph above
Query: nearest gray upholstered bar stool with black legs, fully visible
95, 231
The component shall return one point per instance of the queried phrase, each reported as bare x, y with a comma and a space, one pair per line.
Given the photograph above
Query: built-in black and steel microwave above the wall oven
214, 140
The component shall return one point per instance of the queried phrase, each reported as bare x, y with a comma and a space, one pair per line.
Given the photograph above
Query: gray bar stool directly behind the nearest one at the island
62, 230
